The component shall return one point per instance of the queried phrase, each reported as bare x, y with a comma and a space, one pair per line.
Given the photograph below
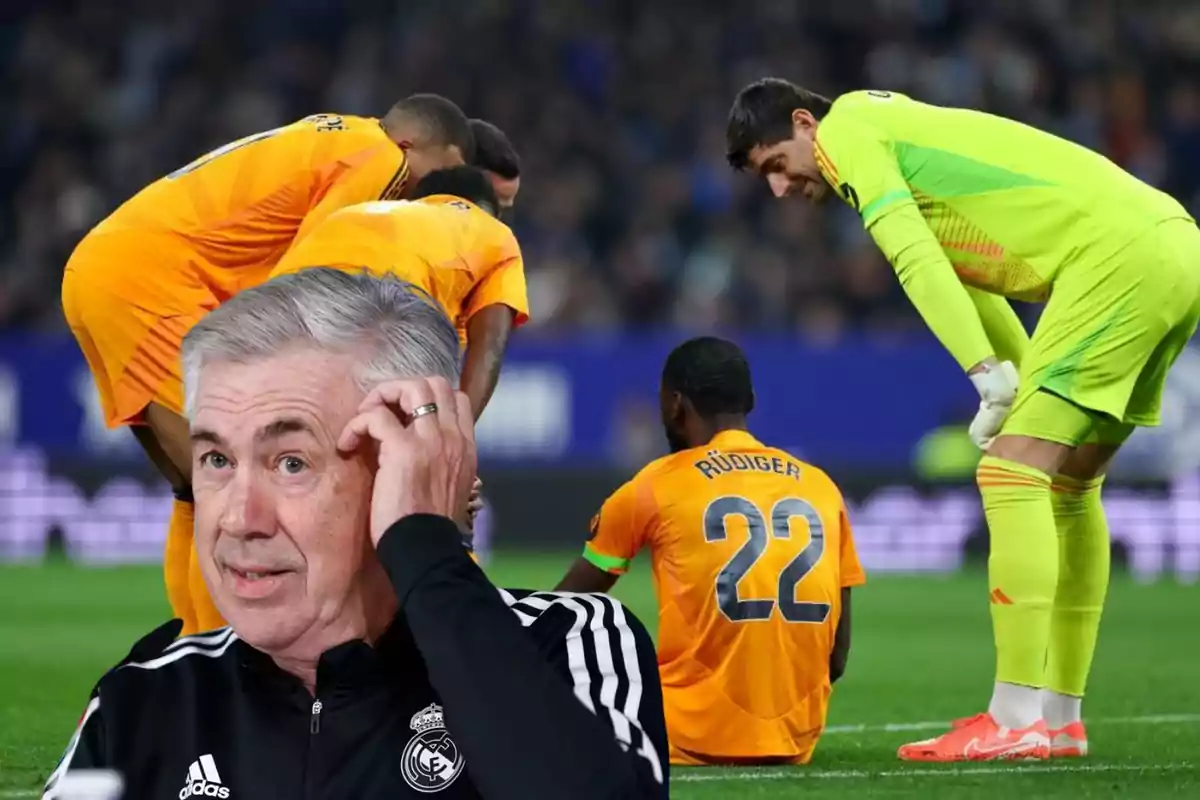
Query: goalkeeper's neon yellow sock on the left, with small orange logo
1023, 568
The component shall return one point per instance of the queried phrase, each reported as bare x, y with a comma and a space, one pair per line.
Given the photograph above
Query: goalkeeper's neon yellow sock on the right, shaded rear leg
1084, 561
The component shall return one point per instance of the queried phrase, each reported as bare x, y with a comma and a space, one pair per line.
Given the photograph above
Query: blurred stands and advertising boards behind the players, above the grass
635, 232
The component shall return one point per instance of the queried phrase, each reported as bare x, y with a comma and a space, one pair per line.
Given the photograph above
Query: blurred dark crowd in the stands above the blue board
629, 215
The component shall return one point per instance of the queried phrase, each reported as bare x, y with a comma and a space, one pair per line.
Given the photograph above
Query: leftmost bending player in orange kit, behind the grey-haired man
140, 280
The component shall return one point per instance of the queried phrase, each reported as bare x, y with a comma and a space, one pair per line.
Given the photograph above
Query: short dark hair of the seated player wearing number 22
713, 375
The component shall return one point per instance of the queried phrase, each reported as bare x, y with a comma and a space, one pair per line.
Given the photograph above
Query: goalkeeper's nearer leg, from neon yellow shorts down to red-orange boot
1100, 332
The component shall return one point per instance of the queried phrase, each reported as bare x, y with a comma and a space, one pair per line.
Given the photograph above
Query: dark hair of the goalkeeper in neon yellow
763, 116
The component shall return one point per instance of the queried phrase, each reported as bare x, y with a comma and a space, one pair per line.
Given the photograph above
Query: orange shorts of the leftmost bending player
130, 298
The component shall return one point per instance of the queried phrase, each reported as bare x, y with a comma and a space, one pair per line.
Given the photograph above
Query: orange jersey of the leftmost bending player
243, 204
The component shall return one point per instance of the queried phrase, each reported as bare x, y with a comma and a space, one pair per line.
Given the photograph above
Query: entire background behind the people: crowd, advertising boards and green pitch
637, 236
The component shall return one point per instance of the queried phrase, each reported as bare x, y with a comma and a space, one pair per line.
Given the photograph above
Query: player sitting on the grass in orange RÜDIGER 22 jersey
753, 561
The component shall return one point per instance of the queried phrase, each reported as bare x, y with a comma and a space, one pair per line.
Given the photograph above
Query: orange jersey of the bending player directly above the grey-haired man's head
463, 256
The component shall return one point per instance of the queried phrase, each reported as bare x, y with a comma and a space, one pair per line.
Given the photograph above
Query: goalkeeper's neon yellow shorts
1111, 333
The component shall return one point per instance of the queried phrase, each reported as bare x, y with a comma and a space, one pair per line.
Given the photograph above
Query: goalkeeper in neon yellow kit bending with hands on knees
971, 209
